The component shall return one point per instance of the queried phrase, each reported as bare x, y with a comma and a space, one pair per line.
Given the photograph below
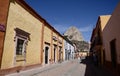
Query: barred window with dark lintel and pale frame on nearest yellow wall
21, 40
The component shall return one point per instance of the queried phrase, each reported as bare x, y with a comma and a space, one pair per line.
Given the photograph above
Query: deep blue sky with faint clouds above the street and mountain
83, 14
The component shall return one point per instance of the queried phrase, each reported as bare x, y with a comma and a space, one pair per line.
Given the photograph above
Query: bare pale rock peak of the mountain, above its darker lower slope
74, 34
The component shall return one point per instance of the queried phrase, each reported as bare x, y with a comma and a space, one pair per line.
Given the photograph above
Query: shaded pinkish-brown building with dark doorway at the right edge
111, 41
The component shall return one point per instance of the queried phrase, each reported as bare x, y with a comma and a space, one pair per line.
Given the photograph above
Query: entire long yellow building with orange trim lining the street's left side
29, 41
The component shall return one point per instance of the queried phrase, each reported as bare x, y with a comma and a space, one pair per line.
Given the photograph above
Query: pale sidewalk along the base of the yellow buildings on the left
42, 69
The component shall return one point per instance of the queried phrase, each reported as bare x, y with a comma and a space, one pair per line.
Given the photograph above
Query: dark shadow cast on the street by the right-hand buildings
94, 70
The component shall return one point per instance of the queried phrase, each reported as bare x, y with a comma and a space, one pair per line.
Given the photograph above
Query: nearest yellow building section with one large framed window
23, 37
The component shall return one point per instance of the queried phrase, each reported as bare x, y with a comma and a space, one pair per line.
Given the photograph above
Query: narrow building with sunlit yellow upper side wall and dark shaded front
97, 38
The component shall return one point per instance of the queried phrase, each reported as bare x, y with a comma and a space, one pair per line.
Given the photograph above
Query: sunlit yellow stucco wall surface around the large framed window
20, 18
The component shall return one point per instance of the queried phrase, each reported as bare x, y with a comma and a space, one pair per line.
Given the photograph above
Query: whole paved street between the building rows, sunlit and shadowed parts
67, 68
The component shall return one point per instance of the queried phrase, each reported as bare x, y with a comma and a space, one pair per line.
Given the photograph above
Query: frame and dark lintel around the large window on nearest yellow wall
20, 34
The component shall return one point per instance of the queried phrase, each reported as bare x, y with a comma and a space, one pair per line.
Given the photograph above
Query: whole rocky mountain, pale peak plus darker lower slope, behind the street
75, 36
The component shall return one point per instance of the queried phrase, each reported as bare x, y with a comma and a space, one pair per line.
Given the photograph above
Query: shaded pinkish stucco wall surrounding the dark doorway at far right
112, 31
